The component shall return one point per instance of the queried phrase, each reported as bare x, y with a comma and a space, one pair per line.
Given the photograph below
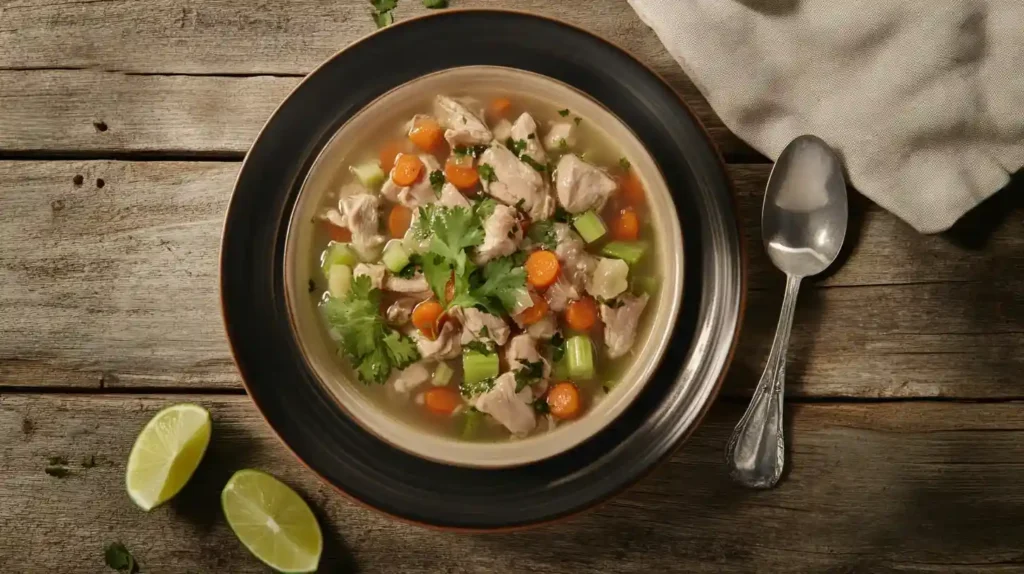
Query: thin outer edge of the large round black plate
733, 224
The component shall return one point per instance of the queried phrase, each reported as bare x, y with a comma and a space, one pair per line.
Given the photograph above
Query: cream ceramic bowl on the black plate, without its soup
321, 351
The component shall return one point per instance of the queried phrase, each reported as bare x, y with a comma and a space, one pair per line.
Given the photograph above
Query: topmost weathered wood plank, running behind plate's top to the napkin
233, 37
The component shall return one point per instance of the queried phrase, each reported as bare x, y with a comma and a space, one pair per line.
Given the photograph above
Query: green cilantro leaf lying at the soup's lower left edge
374, 348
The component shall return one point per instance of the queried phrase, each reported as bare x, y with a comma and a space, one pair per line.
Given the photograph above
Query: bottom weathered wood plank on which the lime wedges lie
909, 488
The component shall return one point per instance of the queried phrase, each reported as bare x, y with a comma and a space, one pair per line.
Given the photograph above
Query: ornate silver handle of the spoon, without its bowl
756, 453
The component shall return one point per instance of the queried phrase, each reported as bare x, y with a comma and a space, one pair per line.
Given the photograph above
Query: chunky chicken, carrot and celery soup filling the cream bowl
488, 268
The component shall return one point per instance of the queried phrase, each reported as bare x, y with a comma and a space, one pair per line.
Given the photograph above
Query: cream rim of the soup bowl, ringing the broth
670, 240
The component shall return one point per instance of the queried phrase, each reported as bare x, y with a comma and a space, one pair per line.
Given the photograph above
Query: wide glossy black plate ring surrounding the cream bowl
304, 413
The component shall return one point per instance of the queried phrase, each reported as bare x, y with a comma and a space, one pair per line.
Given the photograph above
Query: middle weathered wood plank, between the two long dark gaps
119, 285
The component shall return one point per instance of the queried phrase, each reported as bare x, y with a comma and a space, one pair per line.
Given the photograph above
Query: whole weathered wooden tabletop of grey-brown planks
122, 125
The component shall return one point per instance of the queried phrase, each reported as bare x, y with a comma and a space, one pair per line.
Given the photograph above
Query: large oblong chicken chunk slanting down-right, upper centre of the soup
517, 184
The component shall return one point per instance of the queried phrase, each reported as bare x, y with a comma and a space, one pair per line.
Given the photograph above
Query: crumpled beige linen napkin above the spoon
924, 100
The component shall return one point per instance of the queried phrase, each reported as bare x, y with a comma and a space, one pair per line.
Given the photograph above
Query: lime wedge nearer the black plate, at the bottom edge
273, 521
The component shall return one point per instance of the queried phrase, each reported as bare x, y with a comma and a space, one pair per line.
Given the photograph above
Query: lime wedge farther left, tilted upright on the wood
166, 454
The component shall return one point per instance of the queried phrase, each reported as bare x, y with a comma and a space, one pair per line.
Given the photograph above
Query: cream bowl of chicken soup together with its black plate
482, 276
